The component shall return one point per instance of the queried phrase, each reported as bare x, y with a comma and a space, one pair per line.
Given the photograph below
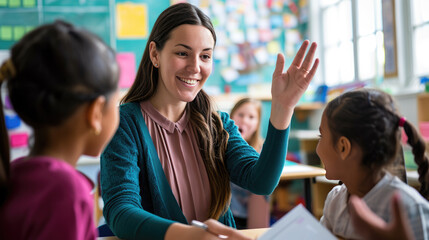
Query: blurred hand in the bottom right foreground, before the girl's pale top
372, 226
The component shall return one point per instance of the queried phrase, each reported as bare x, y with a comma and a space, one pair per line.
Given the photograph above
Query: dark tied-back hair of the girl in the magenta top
53, 70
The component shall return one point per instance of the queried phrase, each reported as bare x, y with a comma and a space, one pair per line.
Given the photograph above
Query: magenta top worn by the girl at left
48, 199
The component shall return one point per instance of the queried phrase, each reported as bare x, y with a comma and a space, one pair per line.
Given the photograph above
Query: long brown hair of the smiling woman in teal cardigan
211, 136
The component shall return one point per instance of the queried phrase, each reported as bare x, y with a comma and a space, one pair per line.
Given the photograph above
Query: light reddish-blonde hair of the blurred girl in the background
256, 139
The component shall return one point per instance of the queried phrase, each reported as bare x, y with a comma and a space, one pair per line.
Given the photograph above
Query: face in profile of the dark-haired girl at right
327, 152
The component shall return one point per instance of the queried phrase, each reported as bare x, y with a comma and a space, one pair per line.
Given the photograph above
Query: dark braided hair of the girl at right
370, 118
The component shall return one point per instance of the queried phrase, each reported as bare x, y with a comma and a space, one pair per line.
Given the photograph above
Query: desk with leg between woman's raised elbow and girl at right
292, 171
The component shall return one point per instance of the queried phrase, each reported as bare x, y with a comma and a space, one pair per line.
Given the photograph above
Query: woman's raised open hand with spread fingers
287, 88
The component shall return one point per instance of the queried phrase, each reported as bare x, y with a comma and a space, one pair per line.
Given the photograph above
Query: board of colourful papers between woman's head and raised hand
250, 35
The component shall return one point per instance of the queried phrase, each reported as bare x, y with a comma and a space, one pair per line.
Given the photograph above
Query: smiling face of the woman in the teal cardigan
184, 63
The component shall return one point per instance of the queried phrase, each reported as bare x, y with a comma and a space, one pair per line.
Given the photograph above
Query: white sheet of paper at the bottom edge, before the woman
297, 224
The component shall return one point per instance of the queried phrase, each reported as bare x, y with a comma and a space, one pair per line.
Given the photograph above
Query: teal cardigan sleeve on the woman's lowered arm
120, 186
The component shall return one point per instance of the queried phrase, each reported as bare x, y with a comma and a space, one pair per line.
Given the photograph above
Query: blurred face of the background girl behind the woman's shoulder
246, 117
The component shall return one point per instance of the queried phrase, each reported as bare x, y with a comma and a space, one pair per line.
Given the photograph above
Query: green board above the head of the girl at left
20, 16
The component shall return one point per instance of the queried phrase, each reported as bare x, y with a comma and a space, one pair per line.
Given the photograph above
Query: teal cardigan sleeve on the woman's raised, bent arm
259, 174
